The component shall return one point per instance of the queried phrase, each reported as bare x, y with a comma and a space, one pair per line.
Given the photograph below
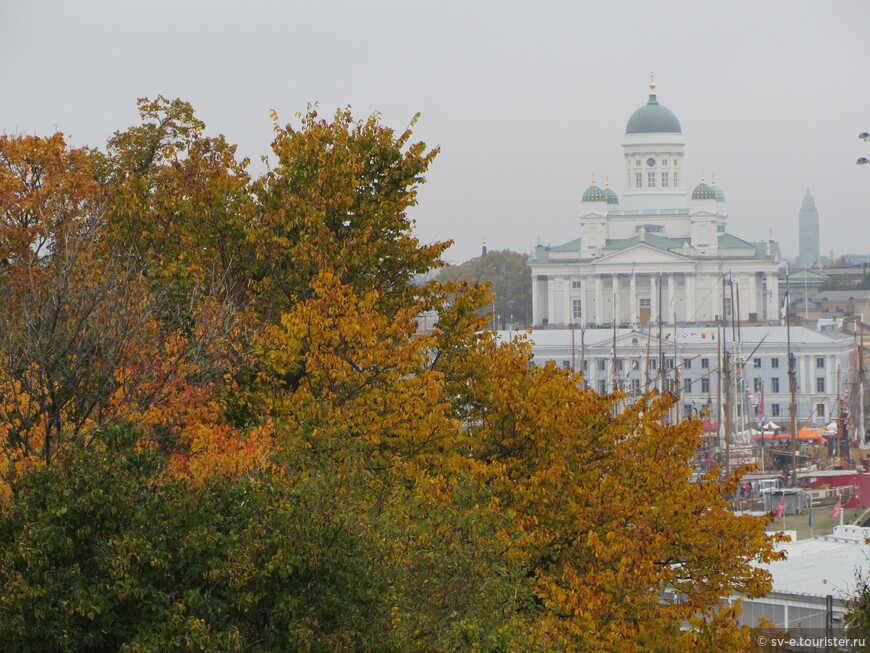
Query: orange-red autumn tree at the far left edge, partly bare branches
89, 335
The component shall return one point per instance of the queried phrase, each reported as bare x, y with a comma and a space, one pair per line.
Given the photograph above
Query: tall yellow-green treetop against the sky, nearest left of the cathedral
337, 198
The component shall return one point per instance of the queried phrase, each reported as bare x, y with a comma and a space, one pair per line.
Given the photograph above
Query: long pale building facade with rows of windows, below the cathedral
691, 357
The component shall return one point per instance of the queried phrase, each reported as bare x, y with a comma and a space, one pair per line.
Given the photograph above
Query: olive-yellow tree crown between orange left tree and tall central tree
178, 199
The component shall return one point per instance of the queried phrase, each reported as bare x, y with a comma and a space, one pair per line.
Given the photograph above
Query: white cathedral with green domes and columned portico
655, 251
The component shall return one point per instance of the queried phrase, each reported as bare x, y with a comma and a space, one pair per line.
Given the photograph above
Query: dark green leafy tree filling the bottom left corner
105, 551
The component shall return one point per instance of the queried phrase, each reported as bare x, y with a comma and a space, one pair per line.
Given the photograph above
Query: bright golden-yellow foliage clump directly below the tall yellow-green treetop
361, 373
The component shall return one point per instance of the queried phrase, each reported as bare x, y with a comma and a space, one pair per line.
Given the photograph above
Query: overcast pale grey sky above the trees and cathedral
527, 100
